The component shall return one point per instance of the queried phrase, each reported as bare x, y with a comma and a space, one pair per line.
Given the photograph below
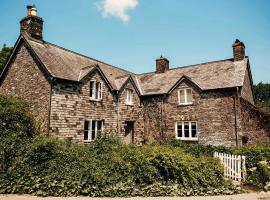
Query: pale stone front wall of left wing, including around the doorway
71, 106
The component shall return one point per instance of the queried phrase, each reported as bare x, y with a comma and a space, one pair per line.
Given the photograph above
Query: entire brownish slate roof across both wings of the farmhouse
69, 65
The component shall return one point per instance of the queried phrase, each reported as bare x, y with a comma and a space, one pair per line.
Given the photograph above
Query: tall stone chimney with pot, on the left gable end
32, 25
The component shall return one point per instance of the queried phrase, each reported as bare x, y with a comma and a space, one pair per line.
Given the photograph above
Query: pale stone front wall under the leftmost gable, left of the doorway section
71, 106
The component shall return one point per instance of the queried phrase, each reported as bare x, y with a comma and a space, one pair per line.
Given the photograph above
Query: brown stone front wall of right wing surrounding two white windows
213, 111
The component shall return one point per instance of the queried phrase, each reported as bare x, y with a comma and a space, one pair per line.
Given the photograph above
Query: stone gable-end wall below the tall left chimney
25, 79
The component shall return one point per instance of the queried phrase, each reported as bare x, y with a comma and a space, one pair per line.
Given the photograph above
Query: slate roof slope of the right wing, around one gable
207, 76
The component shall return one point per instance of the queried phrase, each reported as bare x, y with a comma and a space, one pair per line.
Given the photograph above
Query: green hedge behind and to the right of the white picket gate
258, 174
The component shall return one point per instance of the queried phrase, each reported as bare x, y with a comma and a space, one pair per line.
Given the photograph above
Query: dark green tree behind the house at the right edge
262, 96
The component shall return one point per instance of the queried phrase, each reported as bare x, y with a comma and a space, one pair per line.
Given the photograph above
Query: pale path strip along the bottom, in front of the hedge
250, 196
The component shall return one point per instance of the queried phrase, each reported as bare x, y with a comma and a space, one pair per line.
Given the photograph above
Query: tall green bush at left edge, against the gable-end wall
16, 127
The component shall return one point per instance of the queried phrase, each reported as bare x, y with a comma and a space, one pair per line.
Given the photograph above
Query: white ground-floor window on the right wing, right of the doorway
186, 130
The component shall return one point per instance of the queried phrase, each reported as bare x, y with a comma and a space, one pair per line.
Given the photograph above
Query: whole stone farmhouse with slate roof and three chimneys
77, 97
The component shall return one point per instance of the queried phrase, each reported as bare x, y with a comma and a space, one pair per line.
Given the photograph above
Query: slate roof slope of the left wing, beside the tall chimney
69, 65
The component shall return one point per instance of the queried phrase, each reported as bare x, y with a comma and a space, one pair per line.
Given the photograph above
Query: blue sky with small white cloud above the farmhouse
133, 33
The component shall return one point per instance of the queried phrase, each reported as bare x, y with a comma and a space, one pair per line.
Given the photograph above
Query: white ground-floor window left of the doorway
91, 129
